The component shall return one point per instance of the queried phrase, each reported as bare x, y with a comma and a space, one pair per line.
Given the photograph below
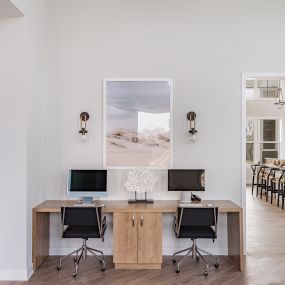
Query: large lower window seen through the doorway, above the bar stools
262, 139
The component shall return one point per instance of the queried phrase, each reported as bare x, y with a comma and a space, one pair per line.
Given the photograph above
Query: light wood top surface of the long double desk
164, 206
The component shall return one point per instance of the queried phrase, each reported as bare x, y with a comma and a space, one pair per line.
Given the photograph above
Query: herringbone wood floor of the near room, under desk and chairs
259, 271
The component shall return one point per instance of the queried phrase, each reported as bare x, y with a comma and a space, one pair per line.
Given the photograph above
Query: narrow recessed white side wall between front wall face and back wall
35, 57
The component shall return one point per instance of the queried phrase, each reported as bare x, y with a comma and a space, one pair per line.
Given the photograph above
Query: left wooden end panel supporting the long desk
40, 238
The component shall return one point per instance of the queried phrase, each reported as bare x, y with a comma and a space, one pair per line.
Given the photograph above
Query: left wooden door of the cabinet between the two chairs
125, 238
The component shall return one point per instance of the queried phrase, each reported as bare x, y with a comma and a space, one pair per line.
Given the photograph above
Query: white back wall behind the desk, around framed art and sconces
203, 45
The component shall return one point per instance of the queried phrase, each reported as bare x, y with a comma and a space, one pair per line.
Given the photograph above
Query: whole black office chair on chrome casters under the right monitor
195, 223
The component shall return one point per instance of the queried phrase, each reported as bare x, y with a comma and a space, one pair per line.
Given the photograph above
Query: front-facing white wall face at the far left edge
13, 155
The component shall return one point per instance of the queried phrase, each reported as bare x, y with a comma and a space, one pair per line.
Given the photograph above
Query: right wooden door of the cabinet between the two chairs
149, 237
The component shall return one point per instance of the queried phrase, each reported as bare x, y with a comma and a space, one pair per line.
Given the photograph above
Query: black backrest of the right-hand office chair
206, 216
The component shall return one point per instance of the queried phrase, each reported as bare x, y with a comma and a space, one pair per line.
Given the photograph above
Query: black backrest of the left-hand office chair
81, 216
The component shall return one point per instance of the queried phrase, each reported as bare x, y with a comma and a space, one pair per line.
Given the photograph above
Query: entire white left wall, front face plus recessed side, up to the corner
21, 56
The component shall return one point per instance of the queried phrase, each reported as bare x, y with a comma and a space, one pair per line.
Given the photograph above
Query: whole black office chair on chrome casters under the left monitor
85, 223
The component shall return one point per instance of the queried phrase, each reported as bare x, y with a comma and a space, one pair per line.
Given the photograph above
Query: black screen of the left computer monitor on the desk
88, 181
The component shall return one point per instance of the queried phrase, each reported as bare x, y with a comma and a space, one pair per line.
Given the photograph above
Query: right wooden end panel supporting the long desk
235, 238
